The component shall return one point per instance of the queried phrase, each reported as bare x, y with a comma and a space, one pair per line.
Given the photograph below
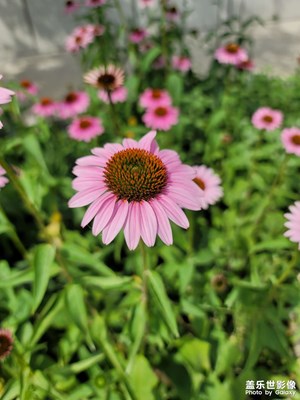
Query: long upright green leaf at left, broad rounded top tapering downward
42, 261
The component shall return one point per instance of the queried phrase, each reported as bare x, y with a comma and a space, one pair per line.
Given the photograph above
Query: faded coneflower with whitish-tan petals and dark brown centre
106, 78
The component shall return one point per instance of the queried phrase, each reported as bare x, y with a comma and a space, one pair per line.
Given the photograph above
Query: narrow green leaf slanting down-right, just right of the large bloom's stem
162, 301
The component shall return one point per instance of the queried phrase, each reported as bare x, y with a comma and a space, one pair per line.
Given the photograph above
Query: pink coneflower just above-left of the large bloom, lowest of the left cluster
85, 128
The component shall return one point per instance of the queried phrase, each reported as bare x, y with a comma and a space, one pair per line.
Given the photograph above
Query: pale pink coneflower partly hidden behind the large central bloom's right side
209, 183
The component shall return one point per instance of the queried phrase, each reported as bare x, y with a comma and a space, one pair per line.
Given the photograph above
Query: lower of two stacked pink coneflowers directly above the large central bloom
161, 117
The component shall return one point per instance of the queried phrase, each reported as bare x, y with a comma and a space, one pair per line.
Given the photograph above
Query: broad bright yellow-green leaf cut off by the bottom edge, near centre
143, 379
